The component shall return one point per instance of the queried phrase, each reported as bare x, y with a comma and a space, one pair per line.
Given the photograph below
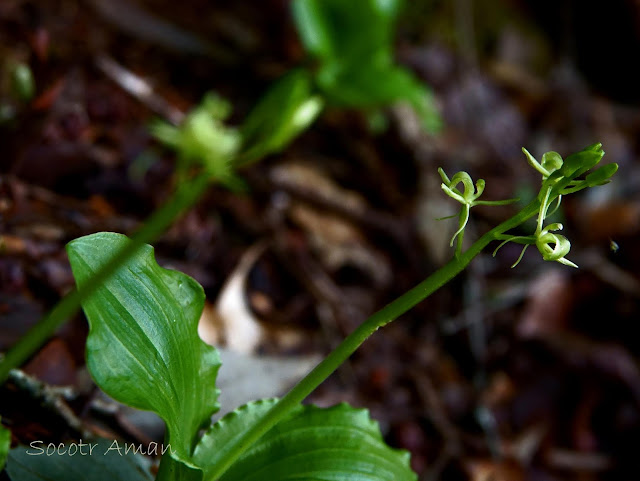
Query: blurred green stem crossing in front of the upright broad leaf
185, 196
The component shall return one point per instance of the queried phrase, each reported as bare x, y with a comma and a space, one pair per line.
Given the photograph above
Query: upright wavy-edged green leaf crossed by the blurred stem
143, 347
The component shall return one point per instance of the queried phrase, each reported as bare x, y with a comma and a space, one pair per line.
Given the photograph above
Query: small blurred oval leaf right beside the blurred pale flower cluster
282, 113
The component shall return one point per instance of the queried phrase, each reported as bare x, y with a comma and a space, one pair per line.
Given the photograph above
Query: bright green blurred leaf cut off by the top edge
353, 43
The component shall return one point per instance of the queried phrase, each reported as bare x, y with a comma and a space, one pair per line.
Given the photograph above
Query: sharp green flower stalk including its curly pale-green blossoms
555, 183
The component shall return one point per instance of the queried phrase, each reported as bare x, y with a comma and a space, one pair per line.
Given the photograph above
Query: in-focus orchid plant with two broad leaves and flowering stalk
143, 350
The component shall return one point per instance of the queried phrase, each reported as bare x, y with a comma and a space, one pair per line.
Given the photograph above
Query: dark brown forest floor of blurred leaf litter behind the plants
529, 373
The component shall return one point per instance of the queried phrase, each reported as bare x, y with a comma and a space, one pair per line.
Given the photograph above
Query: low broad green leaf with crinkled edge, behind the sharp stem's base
334, 444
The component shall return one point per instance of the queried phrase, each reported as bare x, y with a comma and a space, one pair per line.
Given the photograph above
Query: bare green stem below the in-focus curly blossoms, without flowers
384, 316
